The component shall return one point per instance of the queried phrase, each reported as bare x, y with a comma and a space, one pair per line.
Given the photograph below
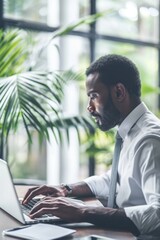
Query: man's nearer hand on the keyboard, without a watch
67, 209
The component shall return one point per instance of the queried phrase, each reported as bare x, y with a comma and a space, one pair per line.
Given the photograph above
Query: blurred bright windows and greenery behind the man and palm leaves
127, 27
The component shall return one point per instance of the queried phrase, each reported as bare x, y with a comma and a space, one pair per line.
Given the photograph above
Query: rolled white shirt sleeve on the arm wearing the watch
99, 185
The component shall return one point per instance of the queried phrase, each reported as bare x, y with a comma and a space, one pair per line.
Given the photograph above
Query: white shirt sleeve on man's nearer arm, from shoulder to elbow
147, 217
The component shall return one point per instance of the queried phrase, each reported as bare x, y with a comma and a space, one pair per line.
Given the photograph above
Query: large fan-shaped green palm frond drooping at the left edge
31, 97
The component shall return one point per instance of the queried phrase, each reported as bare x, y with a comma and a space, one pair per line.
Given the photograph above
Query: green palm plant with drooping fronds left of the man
31, 97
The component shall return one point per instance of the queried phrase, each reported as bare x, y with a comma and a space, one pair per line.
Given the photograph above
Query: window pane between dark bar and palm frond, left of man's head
63, 53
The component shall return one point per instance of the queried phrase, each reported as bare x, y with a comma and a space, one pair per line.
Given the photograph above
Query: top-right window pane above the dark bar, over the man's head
137, 19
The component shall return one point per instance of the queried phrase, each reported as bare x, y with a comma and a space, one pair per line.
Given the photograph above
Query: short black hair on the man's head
114, 68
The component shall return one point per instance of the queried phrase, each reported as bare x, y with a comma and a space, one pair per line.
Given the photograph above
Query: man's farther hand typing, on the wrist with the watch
44, 190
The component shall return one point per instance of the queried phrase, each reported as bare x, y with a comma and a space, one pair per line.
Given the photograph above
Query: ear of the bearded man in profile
119, 92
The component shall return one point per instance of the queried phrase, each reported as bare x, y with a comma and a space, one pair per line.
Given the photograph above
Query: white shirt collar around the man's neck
131, 119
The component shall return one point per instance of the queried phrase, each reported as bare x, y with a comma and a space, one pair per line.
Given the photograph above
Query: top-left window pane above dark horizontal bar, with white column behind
51, 12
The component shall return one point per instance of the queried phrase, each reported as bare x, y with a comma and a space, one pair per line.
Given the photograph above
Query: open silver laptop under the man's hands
10, 203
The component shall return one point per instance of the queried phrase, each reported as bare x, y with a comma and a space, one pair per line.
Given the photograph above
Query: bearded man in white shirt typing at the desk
113, 88
